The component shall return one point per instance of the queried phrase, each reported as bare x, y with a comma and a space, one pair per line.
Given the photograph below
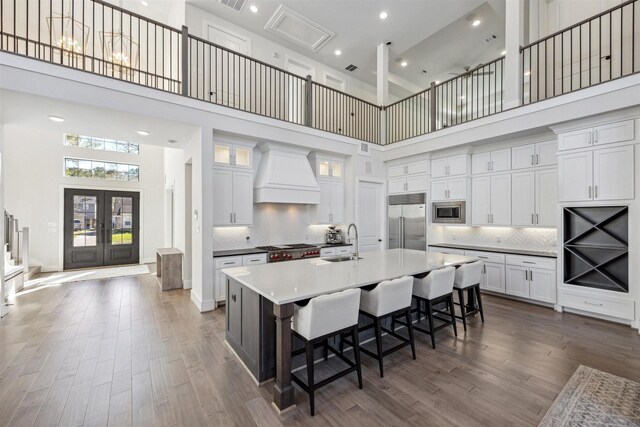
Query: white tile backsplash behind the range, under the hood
273, 224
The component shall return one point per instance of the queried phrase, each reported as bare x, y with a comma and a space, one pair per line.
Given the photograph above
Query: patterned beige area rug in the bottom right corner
595, 398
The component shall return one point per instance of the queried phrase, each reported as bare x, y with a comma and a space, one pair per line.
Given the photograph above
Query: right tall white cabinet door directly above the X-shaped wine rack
613, 173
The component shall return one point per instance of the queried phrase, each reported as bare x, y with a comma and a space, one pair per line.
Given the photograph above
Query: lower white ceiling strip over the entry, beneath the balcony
34, 111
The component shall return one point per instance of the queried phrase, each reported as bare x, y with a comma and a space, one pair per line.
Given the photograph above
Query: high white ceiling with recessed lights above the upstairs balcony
432, 35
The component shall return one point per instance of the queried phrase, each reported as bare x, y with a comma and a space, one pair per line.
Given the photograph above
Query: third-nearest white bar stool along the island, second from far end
435, 288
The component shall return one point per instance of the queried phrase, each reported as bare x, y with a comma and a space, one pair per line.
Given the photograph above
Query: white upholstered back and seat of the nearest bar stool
326, 314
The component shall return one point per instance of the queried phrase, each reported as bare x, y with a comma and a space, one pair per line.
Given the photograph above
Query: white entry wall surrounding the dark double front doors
35, 181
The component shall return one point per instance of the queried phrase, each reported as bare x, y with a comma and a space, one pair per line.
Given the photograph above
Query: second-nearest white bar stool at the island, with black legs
389, 298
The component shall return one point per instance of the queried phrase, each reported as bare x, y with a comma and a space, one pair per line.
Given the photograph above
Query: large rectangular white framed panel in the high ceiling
298, 29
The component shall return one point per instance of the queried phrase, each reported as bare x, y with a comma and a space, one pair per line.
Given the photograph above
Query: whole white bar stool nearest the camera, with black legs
323, 317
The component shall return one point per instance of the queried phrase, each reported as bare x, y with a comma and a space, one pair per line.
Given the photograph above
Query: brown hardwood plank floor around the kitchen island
119, 352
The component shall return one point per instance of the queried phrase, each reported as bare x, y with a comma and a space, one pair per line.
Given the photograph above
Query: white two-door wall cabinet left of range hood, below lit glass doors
233, 197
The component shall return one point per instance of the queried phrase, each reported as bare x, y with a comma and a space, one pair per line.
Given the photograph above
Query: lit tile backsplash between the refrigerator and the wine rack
542, 239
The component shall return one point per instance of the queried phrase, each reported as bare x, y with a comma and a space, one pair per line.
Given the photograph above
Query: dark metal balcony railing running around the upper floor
97, 37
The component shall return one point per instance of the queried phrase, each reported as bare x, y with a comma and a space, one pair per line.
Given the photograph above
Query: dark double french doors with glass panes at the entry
100, 228
